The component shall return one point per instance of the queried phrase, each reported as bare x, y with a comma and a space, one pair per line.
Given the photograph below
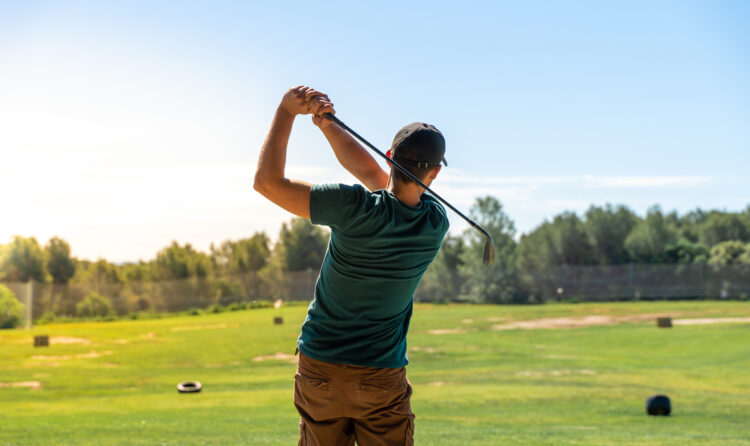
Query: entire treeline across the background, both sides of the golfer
237, 272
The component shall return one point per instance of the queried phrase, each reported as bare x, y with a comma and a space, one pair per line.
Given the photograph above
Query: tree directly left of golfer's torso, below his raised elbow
302, 245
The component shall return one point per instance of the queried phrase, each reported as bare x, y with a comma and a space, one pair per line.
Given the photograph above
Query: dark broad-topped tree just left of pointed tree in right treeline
607, 228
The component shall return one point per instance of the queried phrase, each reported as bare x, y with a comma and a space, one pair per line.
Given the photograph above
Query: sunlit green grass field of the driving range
114, 383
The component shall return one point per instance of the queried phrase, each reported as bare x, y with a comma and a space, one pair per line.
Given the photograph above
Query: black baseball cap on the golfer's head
419, 145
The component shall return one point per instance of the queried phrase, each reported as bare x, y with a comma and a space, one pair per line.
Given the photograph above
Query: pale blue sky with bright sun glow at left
126, 125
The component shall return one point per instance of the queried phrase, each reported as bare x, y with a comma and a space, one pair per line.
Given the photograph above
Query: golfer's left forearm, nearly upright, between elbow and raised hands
272, 160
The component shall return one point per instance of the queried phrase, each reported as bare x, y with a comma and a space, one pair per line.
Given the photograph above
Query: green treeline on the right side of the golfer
602, 236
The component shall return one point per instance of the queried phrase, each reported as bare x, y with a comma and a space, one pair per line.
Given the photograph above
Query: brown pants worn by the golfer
339, 404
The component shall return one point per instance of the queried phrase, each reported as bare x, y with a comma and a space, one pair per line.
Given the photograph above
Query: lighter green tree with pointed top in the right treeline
650, 237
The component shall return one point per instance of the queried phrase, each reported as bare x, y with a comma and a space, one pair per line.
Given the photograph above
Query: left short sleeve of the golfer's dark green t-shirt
334, 204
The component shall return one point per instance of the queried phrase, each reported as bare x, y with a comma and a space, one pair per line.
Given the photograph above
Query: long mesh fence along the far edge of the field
585, 283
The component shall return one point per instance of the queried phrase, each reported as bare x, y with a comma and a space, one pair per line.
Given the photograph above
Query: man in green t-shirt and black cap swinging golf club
351, 378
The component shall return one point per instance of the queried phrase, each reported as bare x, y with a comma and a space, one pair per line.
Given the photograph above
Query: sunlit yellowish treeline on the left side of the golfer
179, 278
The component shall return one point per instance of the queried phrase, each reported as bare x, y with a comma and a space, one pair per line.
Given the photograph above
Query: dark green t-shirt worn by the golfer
378, 251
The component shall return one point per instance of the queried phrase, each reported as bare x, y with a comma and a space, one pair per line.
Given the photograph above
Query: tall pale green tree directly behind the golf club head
495, 283
